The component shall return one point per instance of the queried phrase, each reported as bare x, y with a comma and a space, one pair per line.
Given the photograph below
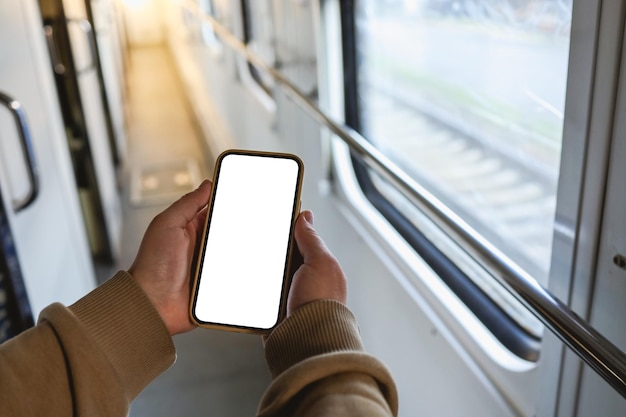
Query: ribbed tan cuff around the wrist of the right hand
316, 328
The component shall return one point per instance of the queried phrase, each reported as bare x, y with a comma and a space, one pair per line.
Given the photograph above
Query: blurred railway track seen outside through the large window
503, 198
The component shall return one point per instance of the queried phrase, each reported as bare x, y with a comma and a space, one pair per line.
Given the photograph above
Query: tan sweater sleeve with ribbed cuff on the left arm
91, 359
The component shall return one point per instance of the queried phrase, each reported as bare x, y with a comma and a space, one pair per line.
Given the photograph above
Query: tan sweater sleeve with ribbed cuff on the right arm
319, 368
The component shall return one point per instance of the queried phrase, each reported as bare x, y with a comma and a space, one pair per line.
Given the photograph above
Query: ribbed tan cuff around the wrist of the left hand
129, 331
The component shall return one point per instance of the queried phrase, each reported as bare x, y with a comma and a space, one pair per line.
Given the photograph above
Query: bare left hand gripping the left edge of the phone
163, 264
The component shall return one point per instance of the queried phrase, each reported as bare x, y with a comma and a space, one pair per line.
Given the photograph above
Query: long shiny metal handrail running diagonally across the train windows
590, 345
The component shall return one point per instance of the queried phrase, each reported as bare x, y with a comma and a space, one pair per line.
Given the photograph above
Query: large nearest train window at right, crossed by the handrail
468, 98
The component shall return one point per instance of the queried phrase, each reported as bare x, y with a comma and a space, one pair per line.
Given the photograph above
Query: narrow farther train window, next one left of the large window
259, 37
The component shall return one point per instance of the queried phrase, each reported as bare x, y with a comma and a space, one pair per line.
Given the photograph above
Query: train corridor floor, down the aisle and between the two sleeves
216, 373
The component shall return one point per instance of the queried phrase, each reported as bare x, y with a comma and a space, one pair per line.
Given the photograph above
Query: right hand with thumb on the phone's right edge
320, 276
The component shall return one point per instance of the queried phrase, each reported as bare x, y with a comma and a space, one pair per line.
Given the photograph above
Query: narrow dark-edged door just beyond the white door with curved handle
75, 63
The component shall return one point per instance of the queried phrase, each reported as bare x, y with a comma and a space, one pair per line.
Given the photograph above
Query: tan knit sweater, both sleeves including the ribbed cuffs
95, 357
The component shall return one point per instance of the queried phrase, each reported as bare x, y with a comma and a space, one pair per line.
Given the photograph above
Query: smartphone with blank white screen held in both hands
242, 273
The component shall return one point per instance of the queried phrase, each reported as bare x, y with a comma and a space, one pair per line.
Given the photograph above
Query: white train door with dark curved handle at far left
37, 184
